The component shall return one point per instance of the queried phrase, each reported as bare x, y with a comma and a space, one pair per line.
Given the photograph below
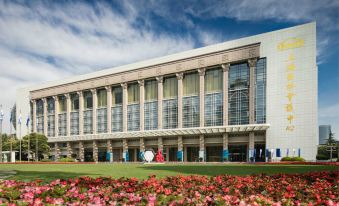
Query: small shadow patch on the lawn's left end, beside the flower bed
46, 176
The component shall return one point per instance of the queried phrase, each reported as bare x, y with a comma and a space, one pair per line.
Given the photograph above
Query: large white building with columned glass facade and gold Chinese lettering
250, 98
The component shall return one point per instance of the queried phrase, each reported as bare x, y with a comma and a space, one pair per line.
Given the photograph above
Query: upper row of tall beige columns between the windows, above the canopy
180, 76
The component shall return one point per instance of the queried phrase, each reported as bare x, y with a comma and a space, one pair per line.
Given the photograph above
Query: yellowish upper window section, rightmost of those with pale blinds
213, 80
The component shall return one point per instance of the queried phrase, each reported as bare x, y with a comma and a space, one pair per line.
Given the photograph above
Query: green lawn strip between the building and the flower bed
49, 172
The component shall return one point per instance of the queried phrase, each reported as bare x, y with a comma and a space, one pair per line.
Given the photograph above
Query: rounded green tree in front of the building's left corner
34, 139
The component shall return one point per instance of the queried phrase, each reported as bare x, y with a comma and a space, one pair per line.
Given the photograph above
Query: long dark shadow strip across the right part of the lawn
212, 170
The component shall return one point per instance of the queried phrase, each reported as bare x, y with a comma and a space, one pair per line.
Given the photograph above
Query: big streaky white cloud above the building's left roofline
42, 42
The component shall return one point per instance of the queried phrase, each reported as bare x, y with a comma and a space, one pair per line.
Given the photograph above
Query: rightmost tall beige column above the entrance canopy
252, 64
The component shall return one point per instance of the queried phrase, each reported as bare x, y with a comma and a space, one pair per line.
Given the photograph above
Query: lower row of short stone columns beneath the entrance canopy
180, 145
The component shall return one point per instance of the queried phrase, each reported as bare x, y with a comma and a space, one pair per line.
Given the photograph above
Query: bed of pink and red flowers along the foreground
318, 188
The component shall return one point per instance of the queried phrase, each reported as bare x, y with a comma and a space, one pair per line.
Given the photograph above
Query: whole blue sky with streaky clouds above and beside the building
49, 40
